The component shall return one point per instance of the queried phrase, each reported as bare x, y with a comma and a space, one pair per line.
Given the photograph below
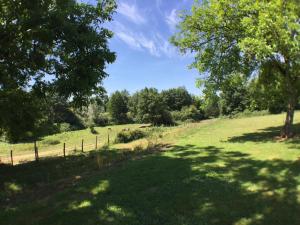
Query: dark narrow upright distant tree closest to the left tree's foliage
118, 107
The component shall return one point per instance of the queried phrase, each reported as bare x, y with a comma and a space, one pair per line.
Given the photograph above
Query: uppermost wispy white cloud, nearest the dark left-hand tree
131, 12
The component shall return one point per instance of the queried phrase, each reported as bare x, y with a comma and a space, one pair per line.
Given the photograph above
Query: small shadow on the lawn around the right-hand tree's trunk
266, 135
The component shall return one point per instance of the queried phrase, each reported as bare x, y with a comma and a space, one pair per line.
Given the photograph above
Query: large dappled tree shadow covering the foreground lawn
187, 185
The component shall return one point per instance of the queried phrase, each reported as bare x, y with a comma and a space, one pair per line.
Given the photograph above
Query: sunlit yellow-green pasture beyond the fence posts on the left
52, 145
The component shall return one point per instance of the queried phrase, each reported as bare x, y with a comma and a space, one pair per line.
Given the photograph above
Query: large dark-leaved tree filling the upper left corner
52, 46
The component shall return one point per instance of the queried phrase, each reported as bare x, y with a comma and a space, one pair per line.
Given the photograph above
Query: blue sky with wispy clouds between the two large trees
145, 58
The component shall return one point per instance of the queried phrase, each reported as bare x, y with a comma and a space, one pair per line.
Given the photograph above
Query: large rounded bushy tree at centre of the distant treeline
147, 106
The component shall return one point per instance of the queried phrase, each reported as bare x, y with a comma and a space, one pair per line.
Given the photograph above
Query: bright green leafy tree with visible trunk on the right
251, 37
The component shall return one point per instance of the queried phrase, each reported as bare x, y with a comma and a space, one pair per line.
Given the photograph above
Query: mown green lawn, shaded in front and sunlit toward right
215, 172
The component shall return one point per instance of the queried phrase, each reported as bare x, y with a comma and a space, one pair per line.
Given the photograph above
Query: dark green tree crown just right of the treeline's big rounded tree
176, 98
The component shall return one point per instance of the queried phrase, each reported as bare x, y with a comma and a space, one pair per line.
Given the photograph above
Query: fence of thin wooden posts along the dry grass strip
38, 152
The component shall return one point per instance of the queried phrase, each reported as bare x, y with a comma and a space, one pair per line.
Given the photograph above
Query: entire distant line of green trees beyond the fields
55, 114
